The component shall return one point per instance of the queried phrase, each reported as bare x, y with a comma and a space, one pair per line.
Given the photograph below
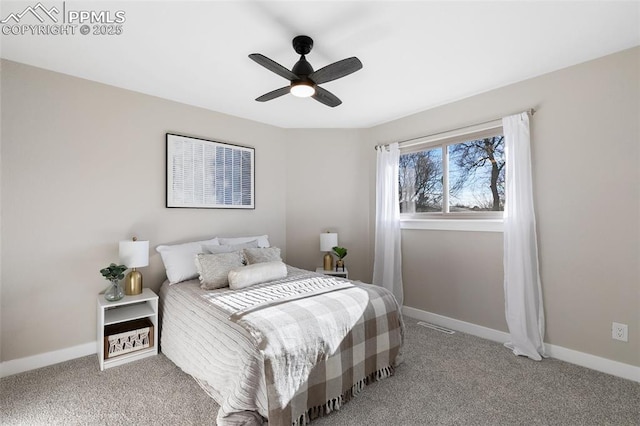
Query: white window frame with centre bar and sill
487, 221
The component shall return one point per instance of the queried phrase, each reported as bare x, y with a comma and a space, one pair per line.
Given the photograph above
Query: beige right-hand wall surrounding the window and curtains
585, 155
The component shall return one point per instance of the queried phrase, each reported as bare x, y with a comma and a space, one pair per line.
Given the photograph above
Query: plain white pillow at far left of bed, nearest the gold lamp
179, 259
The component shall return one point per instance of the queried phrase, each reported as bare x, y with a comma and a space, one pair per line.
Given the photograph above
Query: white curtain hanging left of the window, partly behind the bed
387, 266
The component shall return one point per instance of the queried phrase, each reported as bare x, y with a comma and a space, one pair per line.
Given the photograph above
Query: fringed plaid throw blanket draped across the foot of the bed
325, 344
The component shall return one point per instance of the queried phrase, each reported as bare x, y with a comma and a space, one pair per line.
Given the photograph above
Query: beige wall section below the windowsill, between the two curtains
459, 275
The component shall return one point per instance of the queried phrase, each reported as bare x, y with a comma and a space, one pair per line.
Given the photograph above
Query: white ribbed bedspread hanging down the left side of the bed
204, 343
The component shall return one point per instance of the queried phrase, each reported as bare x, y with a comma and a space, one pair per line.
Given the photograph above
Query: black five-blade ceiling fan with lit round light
304, 80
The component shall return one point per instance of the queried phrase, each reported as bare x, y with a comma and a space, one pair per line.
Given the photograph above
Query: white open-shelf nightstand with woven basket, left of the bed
129, 308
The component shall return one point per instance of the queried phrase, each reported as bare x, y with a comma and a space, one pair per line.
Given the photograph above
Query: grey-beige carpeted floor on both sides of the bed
445, 380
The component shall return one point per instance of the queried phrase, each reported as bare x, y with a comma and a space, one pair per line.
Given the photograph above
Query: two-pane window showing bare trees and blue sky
456, 177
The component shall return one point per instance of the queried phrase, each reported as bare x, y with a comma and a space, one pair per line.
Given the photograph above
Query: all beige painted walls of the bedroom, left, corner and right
57, 132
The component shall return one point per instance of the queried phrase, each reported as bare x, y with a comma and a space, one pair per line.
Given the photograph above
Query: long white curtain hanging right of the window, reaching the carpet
522, 288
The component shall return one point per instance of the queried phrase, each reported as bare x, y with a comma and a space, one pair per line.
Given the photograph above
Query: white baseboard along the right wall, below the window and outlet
593, 362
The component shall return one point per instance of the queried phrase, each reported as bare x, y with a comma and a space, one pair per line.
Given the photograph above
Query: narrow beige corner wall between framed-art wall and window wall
327, 189
